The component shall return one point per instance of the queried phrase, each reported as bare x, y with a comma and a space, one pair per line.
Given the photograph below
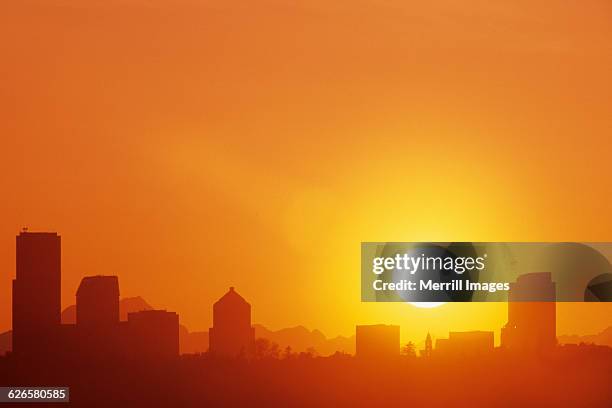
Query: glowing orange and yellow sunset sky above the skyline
190, 145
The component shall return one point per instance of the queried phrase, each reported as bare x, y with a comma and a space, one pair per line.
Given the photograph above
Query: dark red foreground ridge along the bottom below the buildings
577, 376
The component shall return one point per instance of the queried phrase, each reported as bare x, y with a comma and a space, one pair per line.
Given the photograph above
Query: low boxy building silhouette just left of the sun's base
377, 341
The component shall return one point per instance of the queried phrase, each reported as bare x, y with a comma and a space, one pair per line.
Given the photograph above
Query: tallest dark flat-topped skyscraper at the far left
36, 292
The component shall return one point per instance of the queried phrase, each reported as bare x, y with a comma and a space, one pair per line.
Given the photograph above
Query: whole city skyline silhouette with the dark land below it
99, 352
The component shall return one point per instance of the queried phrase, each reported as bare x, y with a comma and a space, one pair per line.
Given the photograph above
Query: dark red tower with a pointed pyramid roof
231, 334
